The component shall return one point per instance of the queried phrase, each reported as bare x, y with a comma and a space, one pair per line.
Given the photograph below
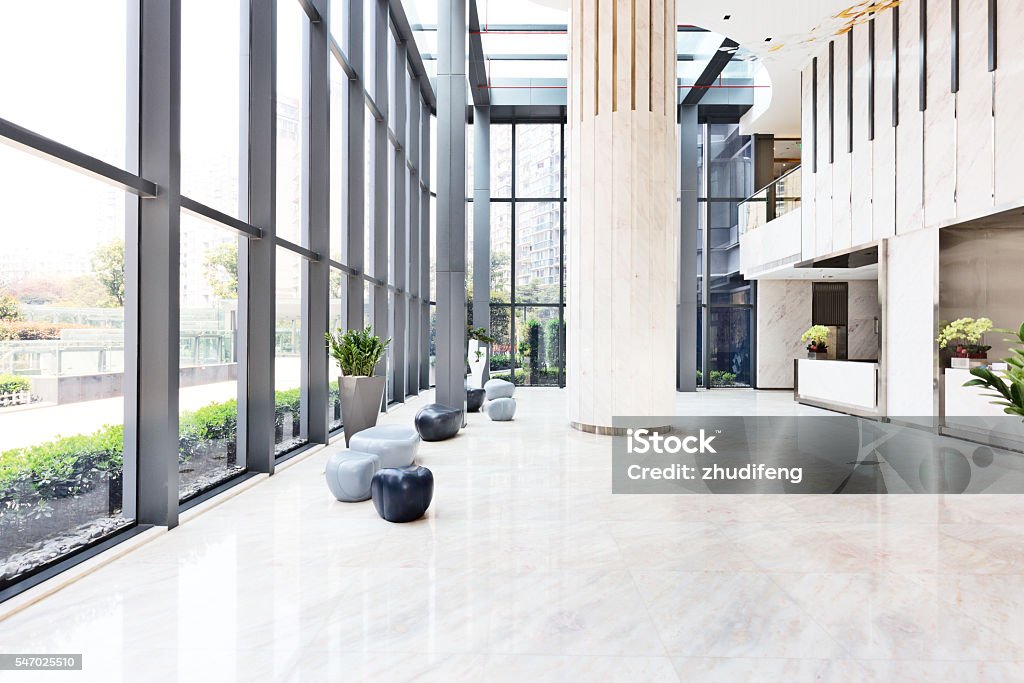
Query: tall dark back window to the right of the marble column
726, 317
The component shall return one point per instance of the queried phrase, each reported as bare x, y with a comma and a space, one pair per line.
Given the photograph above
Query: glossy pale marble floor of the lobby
527, 568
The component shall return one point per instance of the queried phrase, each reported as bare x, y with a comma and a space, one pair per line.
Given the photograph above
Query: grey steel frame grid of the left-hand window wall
154, 207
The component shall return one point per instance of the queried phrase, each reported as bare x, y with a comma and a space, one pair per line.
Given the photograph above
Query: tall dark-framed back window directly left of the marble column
528, 294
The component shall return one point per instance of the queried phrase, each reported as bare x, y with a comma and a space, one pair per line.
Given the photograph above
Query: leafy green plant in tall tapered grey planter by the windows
360, 391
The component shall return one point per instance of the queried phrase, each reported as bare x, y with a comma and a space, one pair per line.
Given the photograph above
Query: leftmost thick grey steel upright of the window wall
152, 439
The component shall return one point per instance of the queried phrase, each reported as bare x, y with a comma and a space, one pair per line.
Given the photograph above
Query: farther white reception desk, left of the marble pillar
844, 387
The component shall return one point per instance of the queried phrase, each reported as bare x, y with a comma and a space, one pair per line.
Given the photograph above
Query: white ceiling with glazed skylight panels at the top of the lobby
778, 39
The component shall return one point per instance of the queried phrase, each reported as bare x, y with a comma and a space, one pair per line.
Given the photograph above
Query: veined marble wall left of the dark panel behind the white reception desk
784, 315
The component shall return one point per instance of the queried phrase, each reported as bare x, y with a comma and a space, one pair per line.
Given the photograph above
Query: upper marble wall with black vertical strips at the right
956, 159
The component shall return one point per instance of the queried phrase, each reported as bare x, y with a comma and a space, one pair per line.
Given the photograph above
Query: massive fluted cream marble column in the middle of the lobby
622, 208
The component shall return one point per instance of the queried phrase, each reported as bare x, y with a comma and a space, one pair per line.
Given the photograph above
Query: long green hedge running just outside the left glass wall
68, 465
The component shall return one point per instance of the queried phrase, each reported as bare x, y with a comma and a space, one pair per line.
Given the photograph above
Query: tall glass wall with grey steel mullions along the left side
76, 330
